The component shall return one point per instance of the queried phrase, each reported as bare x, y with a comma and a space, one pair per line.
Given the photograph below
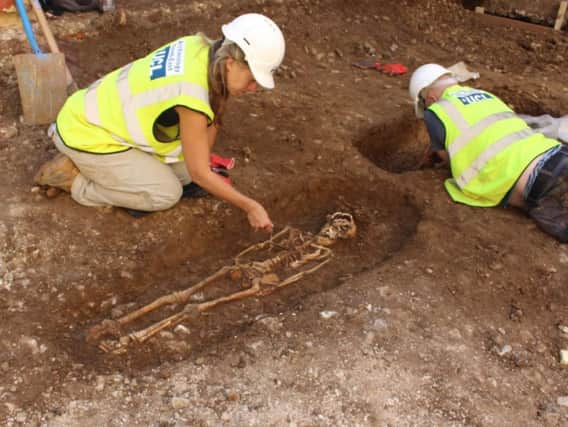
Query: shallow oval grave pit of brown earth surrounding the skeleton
385, 219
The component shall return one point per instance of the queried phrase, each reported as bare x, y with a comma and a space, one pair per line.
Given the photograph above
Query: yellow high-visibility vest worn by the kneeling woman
121, 110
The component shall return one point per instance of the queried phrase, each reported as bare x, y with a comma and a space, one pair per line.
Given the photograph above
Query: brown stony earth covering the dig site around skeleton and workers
437, 314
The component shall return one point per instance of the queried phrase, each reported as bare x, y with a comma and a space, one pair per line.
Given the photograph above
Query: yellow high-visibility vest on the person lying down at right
488, 144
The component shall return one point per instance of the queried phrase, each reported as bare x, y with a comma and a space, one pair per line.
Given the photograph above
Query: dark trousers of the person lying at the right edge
547, 202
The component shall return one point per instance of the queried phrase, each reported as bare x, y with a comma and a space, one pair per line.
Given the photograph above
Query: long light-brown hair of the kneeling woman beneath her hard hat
223, 49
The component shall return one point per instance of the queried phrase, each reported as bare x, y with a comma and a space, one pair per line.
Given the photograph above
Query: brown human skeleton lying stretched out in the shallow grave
294, 250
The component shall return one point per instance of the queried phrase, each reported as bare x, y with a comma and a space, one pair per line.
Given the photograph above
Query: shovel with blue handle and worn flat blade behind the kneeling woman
41, 78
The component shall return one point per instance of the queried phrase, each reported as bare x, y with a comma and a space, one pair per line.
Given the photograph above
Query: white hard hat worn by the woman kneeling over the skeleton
262, 43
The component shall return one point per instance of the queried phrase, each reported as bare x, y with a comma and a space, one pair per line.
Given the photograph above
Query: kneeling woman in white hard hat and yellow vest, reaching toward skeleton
136, 136
